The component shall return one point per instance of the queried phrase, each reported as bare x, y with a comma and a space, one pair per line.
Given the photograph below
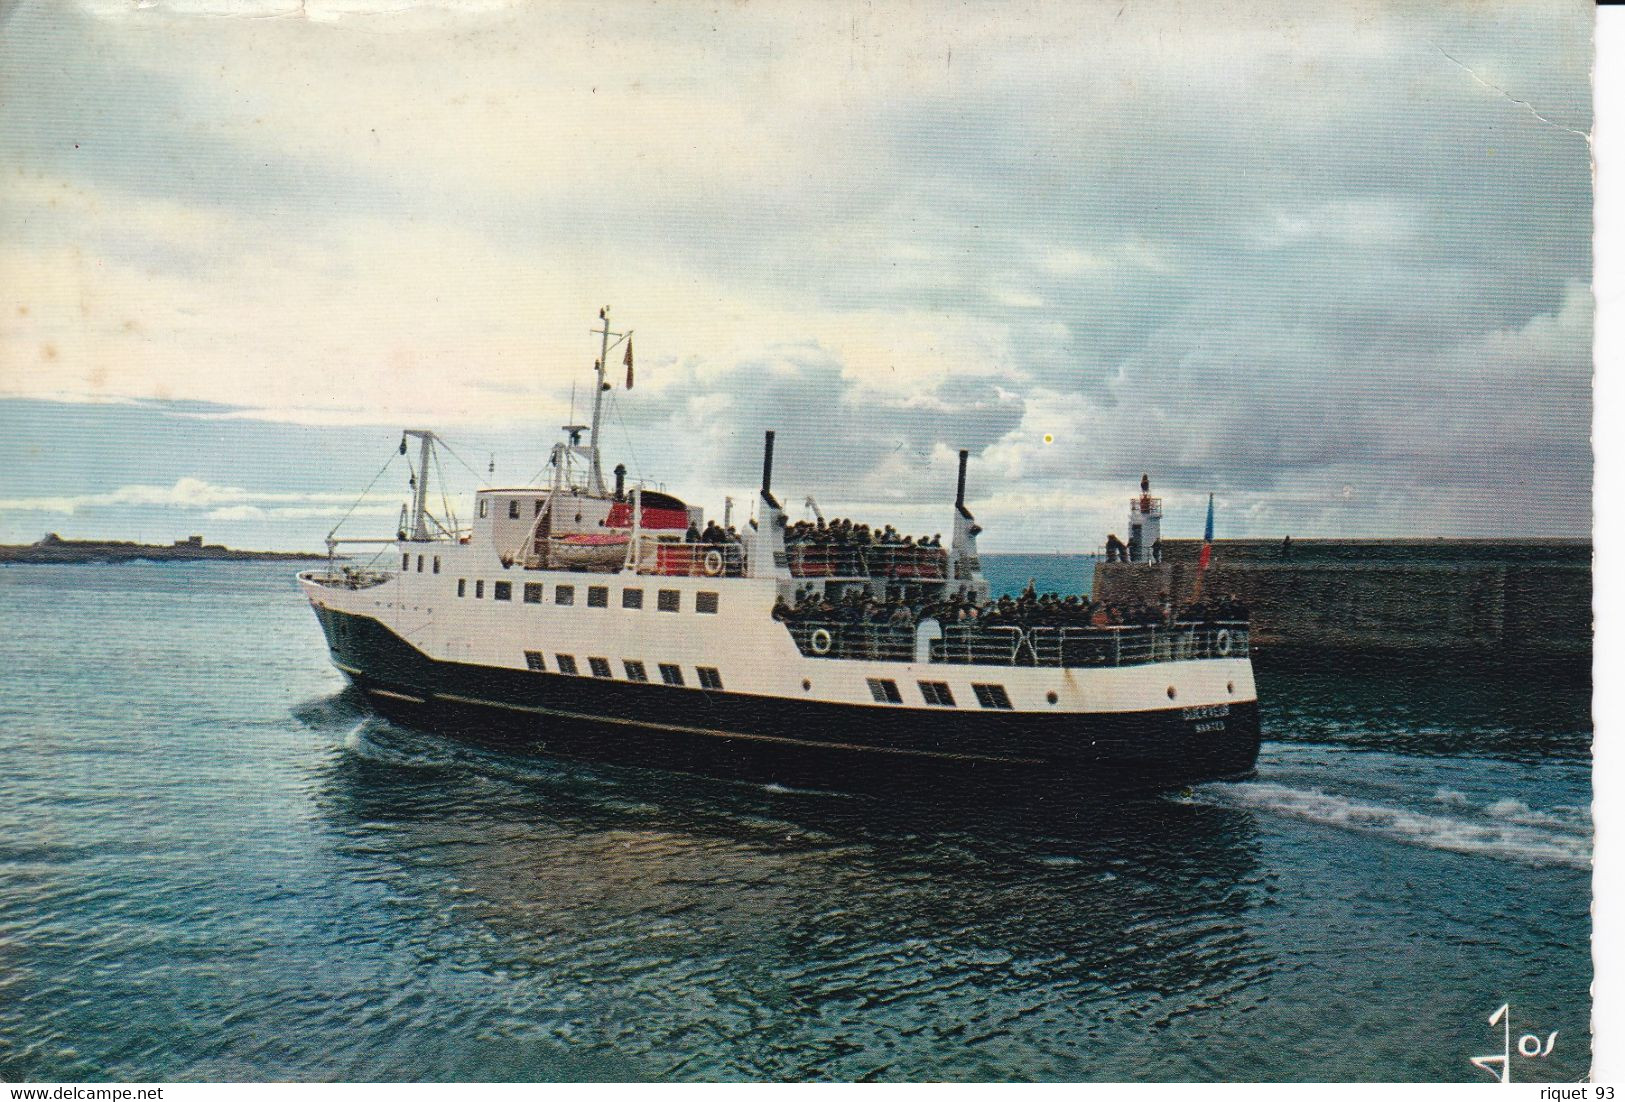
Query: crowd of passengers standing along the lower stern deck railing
1029, 610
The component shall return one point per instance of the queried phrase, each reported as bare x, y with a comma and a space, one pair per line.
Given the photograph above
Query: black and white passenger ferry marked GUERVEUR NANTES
586, 620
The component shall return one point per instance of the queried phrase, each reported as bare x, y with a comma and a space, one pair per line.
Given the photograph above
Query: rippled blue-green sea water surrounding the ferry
215, 864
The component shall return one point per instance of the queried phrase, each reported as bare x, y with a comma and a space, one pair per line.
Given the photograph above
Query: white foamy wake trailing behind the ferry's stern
1532, 840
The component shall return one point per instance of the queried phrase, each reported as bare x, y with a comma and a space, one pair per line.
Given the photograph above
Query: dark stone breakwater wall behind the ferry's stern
1327, 601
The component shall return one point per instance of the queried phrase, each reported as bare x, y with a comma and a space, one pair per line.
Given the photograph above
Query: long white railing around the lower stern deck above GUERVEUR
1015, 646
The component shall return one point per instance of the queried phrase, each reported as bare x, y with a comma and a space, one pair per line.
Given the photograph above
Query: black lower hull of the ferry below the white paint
804, 744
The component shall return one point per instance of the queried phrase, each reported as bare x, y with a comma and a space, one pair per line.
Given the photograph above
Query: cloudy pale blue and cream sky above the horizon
1330, 266
